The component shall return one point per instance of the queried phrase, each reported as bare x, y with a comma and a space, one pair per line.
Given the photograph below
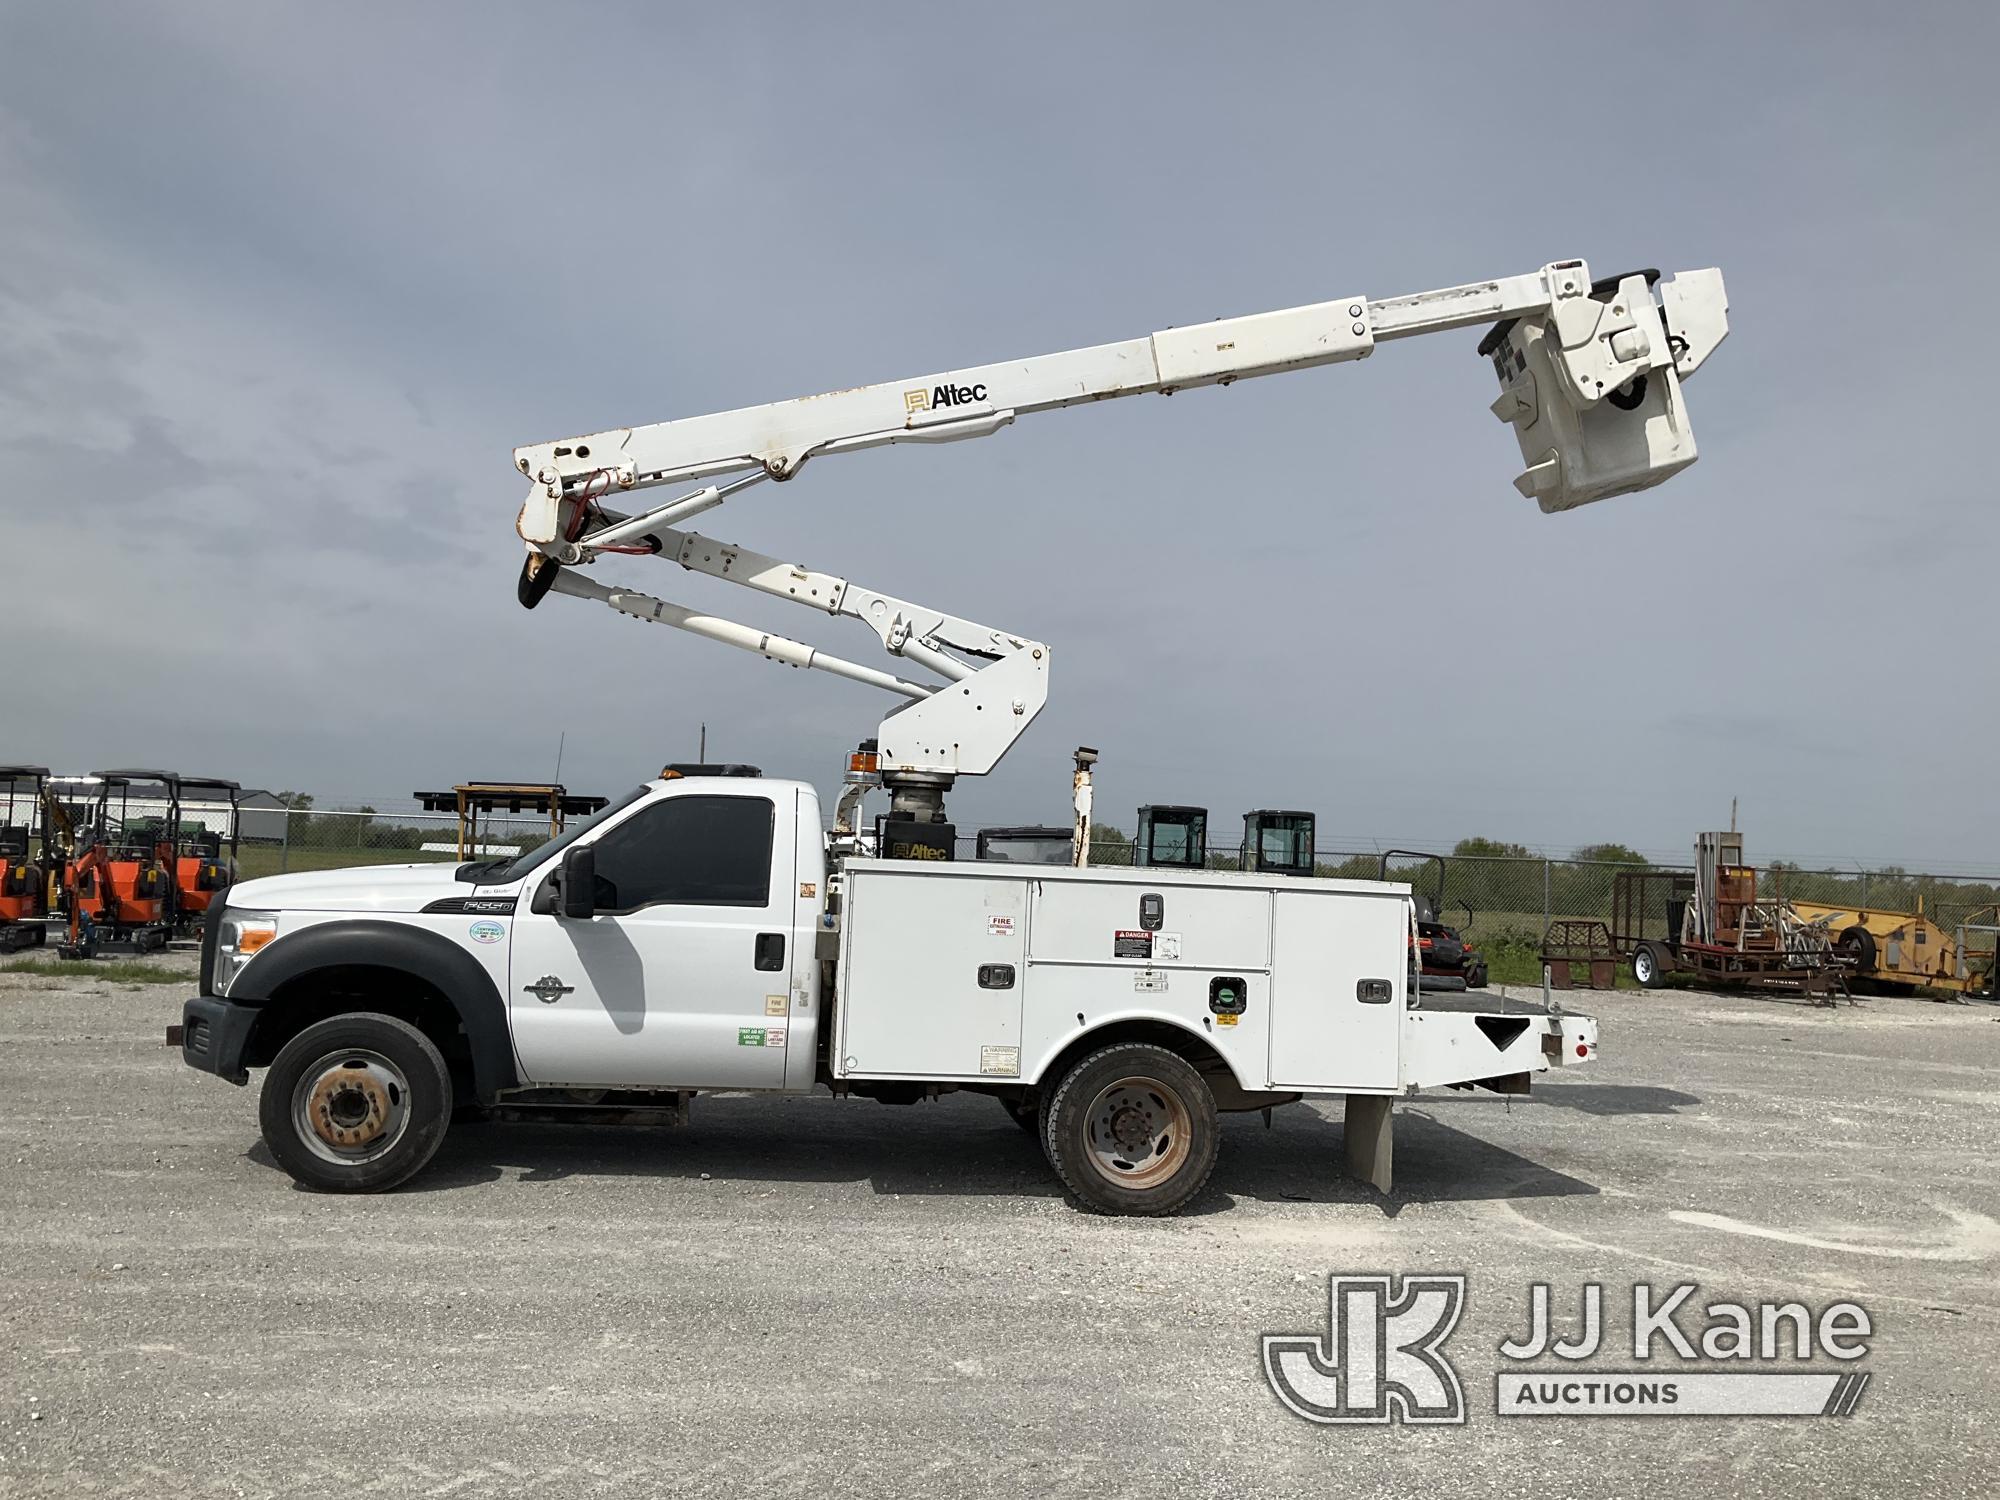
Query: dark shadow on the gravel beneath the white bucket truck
969, 1147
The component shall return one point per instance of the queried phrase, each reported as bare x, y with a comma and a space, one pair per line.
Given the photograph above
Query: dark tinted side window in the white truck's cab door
689, 851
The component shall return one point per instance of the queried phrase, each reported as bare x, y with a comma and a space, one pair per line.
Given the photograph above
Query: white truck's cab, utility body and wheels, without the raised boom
693, 939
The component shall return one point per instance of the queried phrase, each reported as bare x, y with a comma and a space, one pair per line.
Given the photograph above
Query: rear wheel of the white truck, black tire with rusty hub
1131, 1131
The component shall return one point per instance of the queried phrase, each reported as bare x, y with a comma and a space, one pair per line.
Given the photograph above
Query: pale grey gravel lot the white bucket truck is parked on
847, 1297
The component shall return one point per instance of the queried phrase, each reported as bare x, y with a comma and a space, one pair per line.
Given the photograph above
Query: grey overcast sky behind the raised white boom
281, 289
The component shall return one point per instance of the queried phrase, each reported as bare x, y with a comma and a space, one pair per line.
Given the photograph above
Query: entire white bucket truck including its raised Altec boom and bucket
703, 935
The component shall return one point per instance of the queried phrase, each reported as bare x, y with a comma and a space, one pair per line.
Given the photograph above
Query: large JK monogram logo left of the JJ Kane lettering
1381, 1359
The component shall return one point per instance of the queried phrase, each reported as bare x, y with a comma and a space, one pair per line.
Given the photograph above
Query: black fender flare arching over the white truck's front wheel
411, 951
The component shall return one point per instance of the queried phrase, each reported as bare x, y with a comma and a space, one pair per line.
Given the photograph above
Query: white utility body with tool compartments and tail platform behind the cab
987, 973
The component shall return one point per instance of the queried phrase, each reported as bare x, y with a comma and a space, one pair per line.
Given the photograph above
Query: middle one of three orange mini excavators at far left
119, 877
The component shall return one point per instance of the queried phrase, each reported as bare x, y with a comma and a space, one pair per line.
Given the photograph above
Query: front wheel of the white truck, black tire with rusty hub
357, 1103
